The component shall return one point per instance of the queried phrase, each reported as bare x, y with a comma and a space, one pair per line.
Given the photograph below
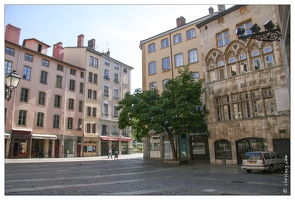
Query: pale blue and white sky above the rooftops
117, 27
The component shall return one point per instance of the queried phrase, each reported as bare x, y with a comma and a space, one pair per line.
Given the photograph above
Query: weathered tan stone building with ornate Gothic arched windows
246, 89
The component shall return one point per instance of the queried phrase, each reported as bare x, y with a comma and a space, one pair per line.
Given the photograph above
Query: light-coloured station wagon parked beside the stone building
262, 160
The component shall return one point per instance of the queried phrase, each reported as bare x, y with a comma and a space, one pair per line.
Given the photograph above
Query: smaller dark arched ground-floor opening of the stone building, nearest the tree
223, 150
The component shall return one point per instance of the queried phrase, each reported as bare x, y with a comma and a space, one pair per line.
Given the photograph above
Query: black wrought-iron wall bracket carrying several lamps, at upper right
271, 33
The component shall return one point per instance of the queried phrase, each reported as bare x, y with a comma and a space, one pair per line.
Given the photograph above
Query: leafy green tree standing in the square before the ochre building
177, 110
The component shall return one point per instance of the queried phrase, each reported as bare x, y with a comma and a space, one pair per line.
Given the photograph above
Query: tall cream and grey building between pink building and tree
106, 82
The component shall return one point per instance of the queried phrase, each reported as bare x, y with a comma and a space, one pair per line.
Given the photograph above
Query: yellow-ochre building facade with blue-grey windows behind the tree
162, 56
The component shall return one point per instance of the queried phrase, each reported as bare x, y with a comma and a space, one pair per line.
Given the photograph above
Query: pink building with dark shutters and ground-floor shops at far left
42, 116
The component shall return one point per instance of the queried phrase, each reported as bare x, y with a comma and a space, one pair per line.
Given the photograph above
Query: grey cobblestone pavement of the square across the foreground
133, 175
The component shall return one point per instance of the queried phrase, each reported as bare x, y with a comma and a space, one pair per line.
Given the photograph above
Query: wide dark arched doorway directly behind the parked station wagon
250, 144
